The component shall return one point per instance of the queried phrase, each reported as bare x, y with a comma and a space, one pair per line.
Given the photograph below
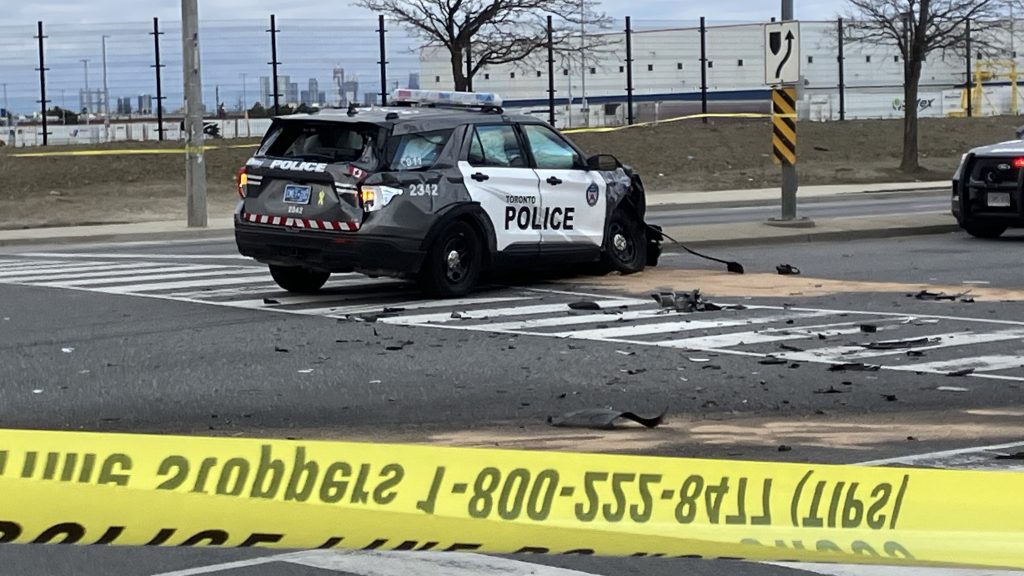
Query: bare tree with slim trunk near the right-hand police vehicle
919, 28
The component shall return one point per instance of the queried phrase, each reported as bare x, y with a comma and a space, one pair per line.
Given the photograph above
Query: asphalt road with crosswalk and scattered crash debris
178, 338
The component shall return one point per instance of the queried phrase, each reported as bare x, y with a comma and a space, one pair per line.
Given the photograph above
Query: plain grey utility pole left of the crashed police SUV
195, 168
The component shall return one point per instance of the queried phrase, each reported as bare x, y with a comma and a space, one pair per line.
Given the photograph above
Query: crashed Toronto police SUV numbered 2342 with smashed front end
440, 188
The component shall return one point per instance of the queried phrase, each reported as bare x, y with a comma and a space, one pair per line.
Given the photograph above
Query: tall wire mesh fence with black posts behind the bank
102, 80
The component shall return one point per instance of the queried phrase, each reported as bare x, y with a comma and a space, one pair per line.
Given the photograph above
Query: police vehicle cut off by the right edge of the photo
989, 189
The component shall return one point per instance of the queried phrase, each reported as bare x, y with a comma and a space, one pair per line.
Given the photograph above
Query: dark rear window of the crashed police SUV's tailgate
321, 142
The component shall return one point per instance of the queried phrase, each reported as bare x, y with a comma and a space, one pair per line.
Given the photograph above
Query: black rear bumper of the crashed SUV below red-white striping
329, 252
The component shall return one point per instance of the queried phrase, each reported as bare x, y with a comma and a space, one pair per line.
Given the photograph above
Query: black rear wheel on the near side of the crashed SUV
452, 268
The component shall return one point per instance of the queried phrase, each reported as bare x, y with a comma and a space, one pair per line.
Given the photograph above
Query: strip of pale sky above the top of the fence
55, 12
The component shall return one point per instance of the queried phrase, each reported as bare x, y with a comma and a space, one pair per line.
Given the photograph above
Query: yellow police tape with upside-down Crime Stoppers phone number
151, 490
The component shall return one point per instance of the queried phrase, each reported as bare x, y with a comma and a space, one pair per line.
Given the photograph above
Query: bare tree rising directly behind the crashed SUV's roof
499, 31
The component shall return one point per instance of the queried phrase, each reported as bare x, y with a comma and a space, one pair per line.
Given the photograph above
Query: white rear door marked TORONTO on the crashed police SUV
498, 176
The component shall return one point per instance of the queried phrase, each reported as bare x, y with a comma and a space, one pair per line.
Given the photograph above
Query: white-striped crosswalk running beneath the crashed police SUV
931, 345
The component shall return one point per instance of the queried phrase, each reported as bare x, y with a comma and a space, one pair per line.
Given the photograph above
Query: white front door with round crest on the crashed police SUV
574, 198
